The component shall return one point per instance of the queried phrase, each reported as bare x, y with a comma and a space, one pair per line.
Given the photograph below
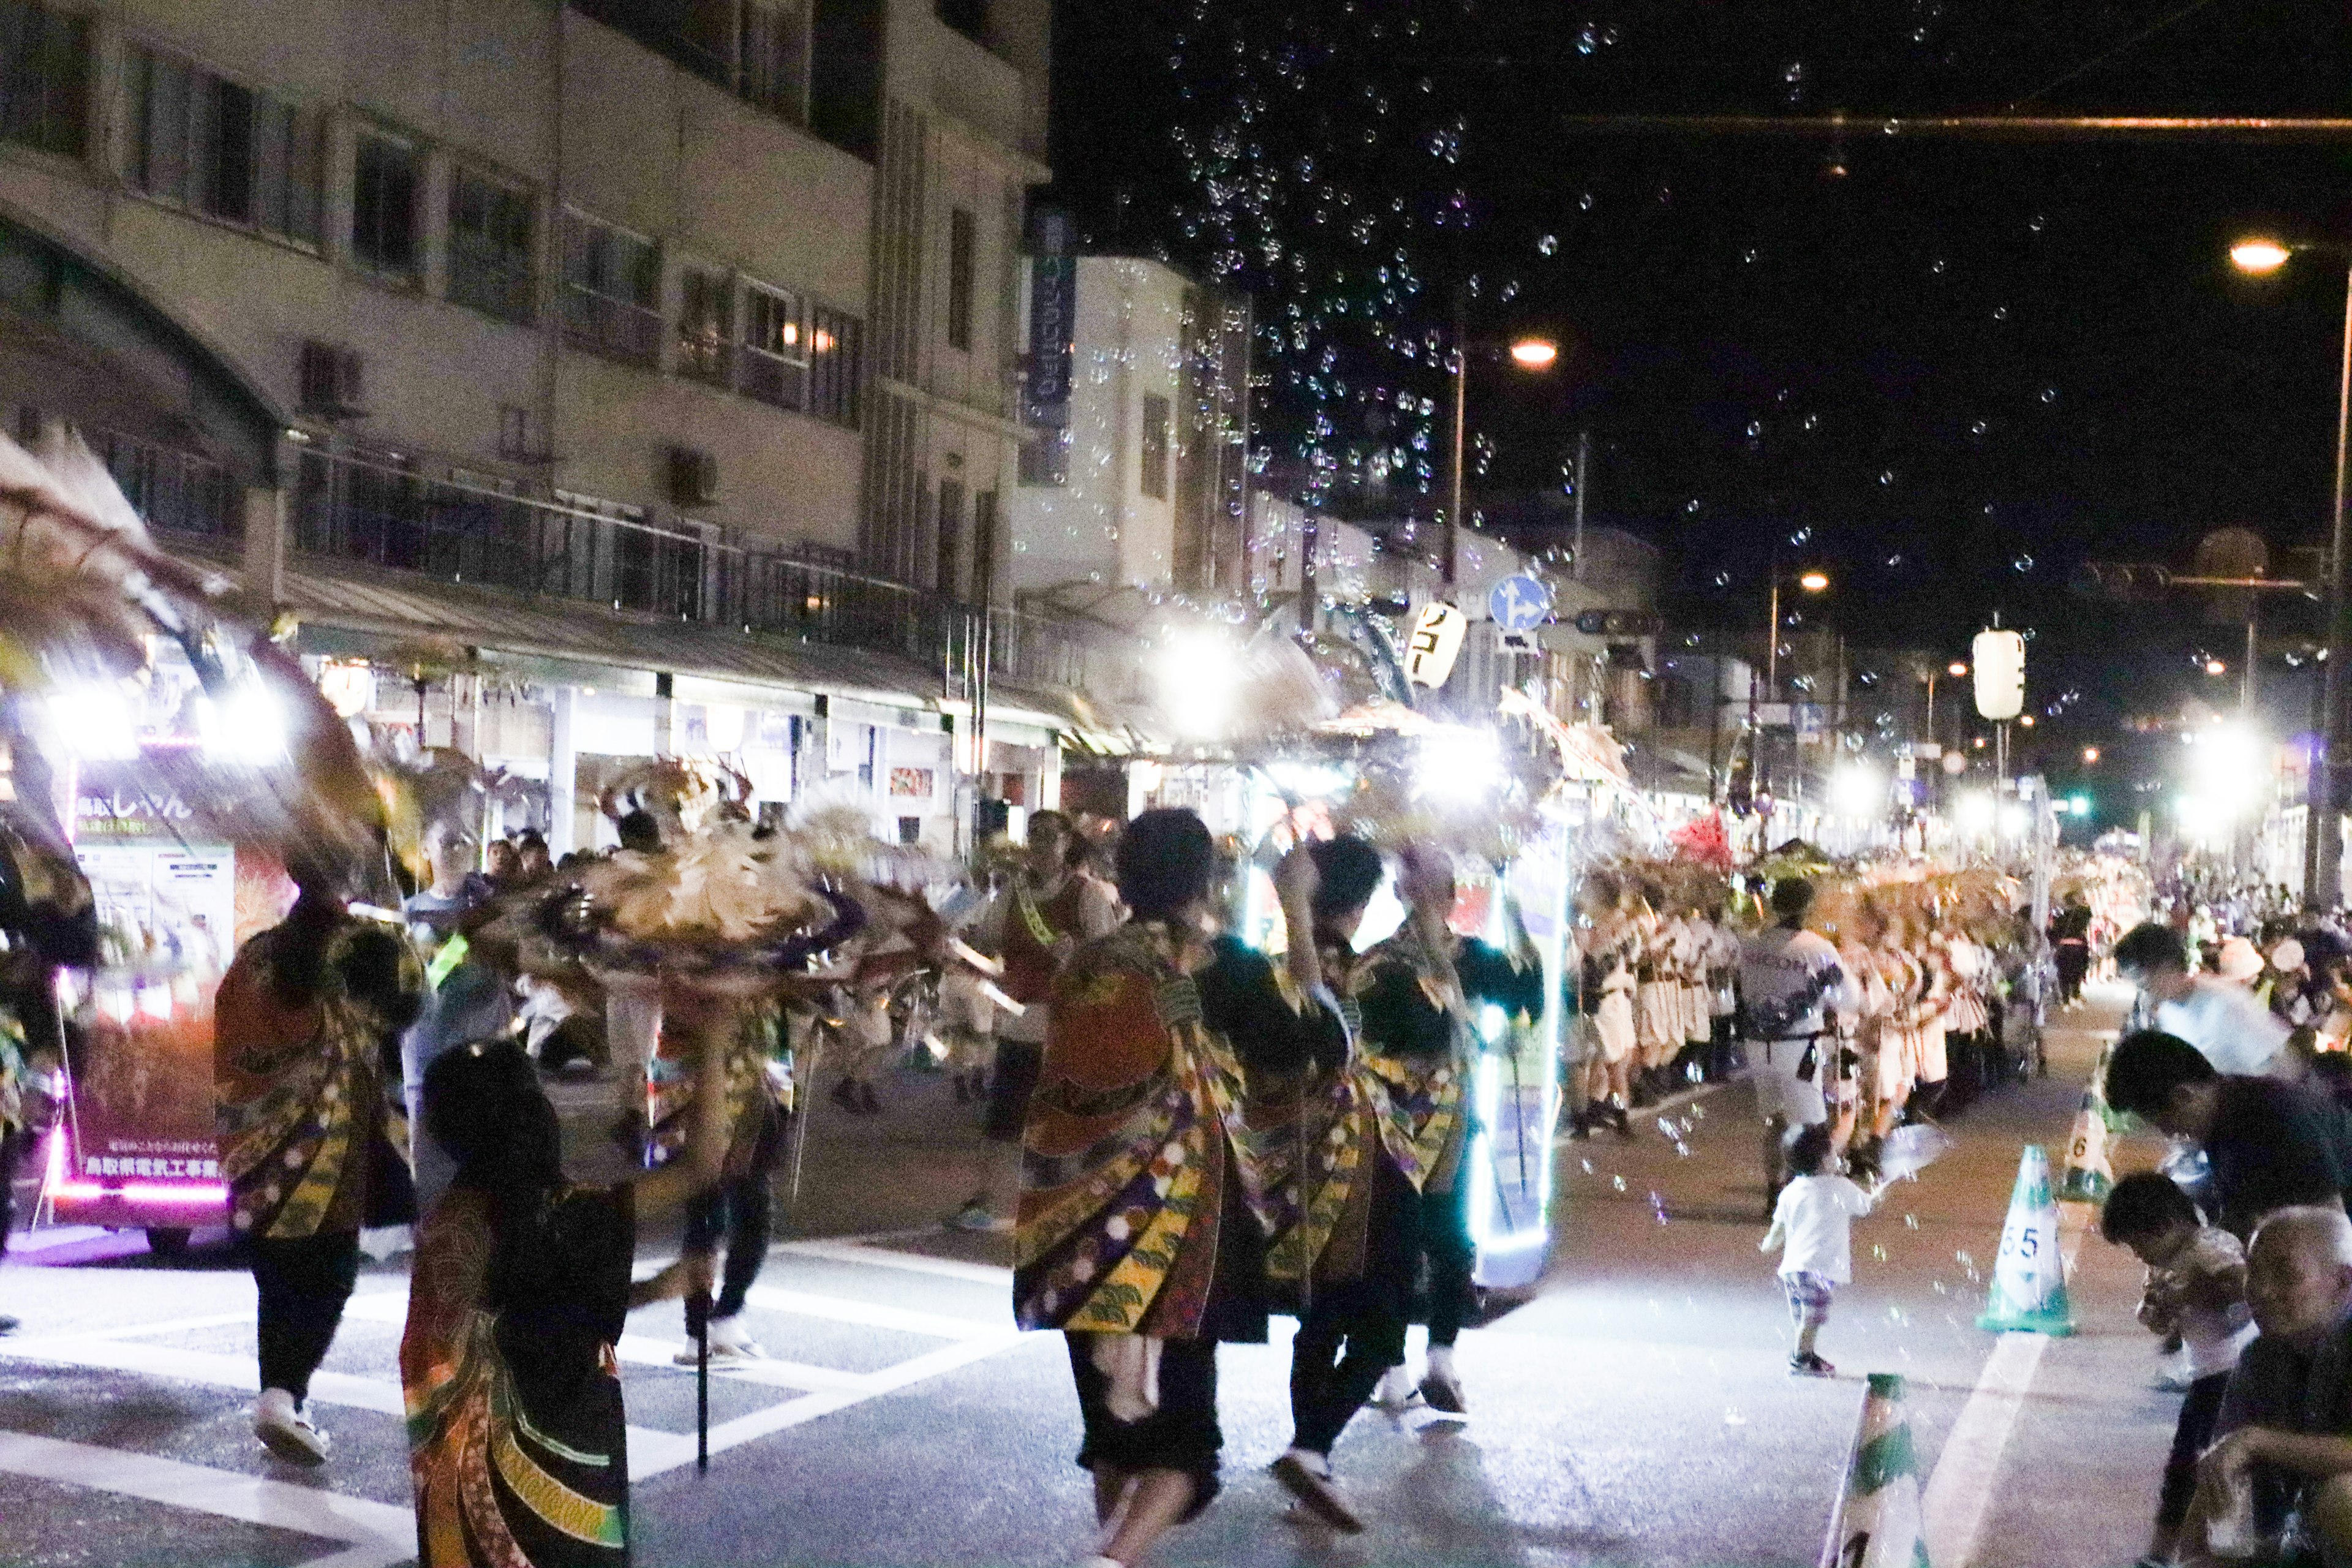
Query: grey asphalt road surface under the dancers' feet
1633, 1409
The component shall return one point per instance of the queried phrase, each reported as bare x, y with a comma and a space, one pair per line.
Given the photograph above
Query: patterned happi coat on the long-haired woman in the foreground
509, 1475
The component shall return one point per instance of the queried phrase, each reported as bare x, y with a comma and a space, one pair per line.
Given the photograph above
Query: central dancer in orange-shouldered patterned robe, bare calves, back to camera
1142, 1191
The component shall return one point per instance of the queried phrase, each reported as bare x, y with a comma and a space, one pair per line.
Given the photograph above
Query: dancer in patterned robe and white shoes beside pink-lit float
307, 1066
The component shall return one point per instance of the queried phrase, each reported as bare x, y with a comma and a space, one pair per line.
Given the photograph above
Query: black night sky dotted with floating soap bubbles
1953, 368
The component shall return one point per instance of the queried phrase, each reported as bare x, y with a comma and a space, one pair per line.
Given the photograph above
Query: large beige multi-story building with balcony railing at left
627, 375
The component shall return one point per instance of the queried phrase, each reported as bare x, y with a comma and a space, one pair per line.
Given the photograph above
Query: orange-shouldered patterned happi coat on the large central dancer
1128, 1148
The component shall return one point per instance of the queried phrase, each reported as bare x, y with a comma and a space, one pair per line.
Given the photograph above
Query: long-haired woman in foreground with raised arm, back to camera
519, 1447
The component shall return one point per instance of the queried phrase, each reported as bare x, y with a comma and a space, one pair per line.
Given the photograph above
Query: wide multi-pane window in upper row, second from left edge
220, 149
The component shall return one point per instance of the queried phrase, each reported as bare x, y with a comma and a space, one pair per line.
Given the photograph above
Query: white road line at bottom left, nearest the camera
375, 1534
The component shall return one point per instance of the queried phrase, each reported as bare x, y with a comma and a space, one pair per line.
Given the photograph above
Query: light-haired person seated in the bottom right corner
2287, 1416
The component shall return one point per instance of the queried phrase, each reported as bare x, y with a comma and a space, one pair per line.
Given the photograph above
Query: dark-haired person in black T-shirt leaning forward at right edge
2271, 1144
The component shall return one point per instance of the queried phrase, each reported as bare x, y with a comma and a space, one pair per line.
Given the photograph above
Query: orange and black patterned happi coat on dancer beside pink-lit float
300, 1094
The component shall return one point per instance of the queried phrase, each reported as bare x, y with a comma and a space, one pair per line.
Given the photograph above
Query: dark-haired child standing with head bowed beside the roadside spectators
2196, 1292
